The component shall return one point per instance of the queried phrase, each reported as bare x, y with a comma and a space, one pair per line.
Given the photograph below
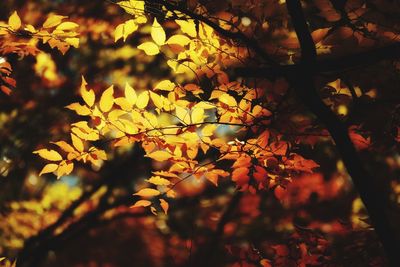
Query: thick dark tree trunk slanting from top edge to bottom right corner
374, 199
